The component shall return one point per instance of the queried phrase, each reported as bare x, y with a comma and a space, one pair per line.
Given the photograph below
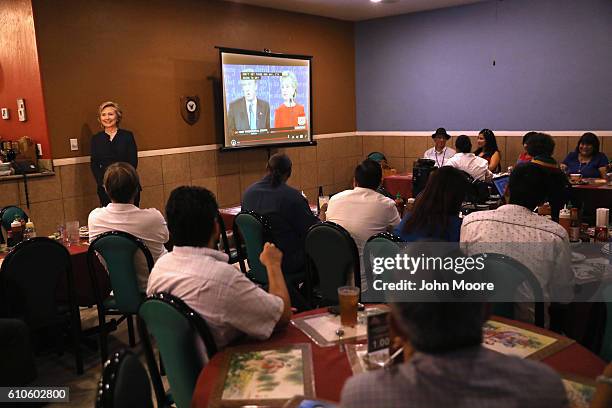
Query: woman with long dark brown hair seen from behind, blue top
436, 210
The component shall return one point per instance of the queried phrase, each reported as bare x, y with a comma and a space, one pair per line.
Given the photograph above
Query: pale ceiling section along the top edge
355, 10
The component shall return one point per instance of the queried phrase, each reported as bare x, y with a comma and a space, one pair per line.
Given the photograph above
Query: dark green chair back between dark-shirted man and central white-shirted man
332, 255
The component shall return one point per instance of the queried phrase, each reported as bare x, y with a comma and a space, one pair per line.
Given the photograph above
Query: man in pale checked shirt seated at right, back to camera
516, 231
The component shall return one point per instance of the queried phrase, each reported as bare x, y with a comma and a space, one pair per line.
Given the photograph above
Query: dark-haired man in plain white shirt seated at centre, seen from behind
362, 211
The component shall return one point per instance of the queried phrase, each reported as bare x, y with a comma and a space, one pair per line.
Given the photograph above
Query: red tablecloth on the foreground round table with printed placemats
332, 369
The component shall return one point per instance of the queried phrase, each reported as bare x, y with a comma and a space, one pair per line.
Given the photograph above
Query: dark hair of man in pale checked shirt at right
526, 185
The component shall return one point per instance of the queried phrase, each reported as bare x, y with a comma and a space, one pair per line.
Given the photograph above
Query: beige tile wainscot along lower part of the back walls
71, 193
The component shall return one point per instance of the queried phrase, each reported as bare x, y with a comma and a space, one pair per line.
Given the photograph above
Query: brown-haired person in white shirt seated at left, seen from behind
122, 184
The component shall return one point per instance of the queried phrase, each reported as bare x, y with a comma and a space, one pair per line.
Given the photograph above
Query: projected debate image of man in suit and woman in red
266, 100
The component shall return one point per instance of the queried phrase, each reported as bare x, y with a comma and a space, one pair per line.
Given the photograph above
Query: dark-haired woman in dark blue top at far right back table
586, 159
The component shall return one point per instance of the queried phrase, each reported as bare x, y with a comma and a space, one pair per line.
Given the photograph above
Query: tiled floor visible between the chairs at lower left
54, 370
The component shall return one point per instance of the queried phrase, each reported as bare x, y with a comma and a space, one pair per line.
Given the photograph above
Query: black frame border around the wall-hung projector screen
264, 53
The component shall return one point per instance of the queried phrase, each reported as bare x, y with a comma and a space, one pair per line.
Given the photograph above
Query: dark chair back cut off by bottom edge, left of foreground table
124, 383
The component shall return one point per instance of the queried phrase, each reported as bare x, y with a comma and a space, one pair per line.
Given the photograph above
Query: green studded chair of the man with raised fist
184, 341
